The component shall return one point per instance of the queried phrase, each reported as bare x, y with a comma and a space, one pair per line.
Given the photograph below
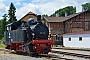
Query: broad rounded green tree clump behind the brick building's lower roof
69, 10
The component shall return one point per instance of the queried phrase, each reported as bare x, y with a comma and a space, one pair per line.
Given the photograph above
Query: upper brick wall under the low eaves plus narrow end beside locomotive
54, 27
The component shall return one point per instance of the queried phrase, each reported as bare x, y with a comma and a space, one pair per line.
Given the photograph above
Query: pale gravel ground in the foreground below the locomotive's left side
11, 56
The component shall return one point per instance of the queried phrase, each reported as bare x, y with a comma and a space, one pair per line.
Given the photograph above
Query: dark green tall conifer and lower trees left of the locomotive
3, 22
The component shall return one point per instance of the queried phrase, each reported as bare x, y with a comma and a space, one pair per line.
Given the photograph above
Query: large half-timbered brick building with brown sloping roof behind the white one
78, 22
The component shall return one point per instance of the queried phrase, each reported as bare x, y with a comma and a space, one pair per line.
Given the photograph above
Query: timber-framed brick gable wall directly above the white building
79, 23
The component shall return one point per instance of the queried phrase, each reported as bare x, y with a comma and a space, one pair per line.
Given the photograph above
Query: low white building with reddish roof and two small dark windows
79, 40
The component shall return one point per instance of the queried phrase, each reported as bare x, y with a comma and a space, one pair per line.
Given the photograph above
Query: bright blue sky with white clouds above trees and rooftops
39, 7
